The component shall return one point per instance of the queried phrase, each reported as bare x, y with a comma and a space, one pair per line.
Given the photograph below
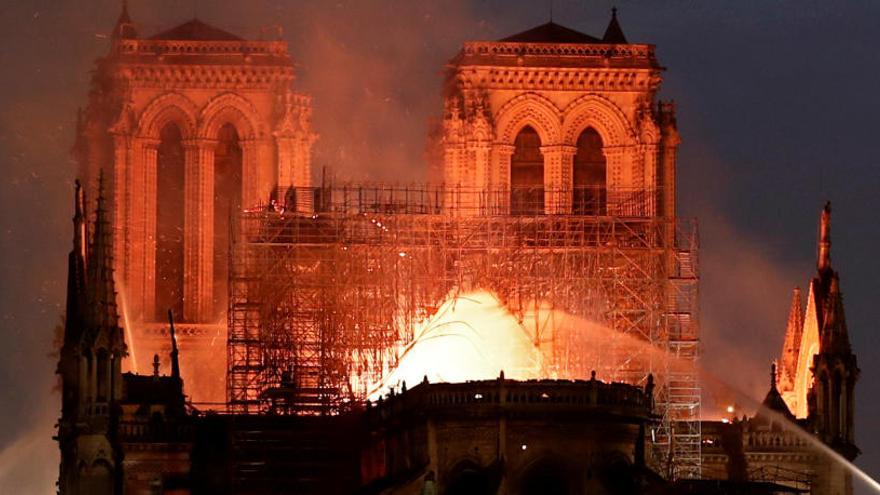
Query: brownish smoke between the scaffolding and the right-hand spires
744, 297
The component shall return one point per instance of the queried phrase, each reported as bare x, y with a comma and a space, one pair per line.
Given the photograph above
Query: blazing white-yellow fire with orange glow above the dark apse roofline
474, 336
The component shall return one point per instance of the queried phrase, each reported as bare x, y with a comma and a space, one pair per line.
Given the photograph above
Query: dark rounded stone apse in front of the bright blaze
510, 437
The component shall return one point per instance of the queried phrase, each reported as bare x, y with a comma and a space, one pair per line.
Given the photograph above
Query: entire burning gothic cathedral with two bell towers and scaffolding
227, 318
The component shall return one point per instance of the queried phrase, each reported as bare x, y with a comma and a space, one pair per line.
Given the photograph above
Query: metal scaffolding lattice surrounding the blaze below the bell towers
321, 301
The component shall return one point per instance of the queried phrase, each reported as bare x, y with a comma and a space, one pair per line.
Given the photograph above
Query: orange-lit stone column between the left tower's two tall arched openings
198, 230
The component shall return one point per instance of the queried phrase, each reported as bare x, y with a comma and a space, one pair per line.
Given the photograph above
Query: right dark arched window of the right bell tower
588, 181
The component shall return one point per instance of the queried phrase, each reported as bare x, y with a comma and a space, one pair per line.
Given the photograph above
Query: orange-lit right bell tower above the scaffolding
554, 121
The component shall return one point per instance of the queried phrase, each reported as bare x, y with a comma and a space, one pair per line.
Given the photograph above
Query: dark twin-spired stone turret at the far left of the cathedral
90, 360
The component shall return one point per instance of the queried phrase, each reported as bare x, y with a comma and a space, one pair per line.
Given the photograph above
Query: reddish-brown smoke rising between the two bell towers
374, 69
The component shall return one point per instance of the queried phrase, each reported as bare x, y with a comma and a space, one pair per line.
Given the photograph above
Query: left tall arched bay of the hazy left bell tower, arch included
154, 169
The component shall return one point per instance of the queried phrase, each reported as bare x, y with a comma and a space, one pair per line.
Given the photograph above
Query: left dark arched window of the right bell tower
527, 174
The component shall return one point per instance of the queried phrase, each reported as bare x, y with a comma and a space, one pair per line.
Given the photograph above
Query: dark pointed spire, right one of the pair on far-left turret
102, 289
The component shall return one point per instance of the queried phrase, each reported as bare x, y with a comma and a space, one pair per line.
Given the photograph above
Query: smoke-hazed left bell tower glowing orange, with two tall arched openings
189, 125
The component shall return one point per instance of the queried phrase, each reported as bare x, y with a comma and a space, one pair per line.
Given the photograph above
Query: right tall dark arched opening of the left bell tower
227, 205
